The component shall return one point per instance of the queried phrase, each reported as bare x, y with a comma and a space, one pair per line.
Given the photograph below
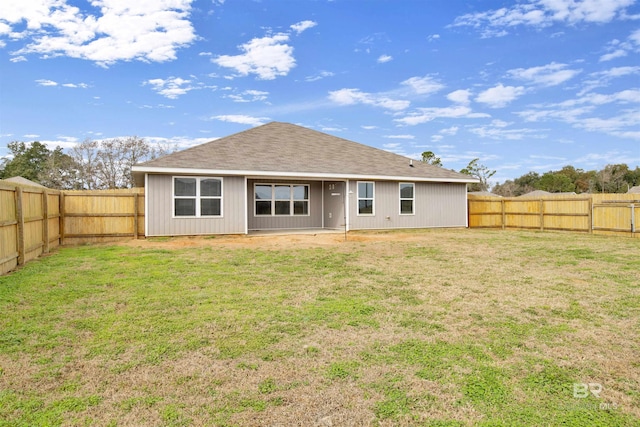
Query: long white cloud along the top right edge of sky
543, 13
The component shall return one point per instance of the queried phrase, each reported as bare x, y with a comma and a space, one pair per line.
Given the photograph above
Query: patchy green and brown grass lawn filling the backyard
429, 328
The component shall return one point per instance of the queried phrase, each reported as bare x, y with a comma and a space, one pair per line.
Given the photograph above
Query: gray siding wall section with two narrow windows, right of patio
435, 205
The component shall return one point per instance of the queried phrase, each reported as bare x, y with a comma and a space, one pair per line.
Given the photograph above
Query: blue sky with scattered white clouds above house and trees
528, 85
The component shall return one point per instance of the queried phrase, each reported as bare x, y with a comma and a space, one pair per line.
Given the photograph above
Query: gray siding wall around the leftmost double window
160, 220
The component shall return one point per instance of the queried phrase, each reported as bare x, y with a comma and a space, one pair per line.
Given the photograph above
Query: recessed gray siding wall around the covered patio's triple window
313, 220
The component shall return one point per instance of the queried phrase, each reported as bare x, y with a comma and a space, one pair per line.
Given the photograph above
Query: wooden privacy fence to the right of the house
616, 214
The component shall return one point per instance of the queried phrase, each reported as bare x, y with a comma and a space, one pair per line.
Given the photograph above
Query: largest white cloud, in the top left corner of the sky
150, 31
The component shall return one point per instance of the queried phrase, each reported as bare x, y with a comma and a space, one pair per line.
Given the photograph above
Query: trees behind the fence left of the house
90, 165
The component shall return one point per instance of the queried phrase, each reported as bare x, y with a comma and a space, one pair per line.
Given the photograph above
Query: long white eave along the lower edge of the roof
308, 175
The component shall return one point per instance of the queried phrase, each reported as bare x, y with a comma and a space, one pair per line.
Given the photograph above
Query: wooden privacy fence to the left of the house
35, 220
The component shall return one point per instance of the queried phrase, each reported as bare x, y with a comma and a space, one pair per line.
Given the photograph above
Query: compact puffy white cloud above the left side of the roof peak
266, 57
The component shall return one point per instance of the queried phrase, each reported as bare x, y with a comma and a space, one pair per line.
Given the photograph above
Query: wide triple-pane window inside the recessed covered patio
281, 199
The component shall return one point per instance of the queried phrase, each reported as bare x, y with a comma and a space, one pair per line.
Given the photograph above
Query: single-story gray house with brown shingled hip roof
284, 176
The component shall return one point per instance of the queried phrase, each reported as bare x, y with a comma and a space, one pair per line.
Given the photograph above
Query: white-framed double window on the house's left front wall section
197, 197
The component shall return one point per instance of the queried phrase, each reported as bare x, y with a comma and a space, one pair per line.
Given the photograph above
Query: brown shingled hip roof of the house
284, 149
